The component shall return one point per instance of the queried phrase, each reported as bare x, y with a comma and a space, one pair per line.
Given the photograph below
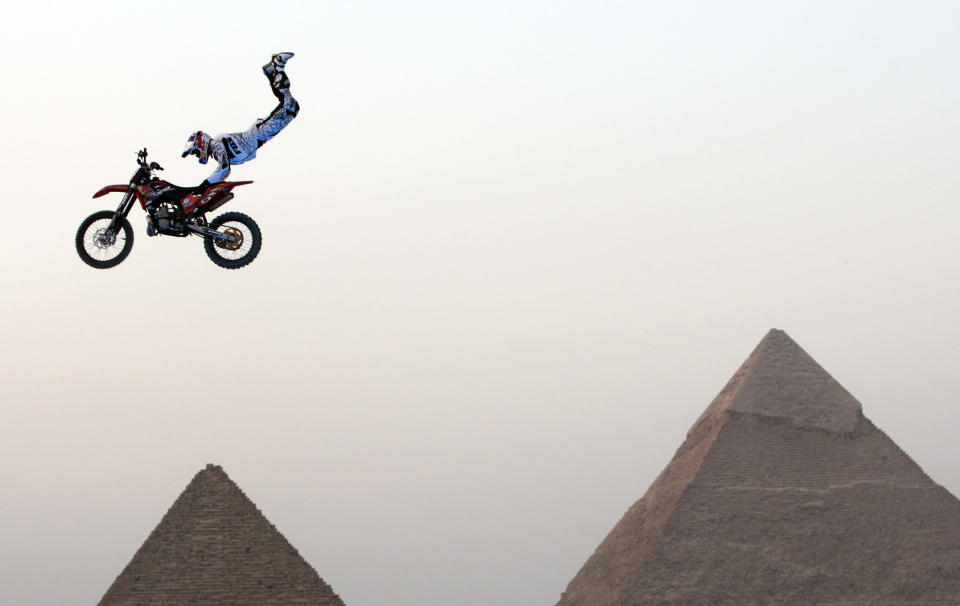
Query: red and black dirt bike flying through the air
231, 240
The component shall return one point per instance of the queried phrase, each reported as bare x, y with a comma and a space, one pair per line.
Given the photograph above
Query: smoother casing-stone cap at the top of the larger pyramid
781, 380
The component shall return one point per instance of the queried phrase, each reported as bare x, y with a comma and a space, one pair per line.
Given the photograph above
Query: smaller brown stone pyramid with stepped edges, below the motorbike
215, 548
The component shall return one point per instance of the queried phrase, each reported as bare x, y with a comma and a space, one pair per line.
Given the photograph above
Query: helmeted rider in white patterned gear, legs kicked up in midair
237, 148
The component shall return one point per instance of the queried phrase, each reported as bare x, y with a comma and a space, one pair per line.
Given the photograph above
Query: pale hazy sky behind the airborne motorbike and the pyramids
511, 251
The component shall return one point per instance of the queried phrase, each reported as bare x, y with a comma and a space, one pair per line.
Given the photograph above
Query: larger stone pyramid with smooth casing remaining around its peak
782, 493
